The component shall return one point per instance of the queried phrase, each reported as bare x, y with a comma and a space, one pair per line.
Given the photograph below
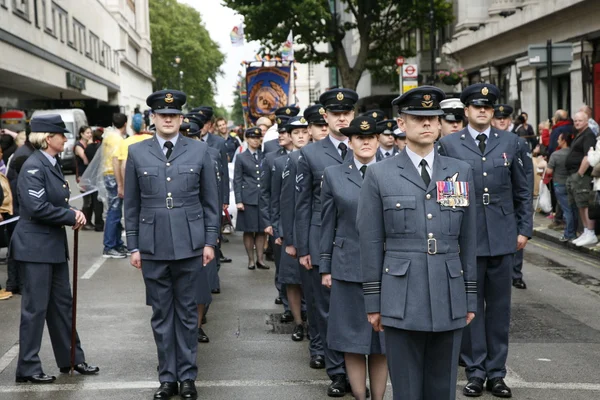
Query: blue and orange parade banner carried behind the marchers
268, 89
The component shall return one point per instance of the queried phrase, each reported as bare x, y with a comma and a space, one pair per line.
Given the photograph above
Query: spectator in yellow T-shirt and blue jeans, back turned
113, 181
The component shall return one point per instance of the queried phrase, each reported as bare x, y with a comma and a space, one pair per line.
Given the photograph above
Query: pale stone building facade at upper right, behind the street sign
491, 43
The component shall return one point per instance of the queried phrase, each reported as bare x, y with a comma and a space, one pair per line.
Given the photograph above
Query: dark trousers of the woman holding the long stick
46, 299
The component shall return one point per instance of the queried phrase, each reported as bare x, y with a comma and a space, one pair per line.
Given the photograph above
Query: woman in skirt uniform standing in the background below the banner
246, 185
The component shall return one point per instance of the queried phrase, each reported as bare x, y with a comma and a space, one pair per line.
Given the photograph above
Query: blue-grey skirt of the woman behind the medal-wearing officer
348, 329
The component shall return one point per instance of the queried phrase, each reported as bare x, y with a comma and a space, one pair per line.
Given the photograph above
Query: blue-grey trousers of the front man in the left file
171, 288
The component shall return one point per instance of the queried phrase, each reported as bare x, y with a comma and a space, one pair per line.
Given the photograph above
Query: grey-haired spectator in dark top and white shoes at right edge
579, 182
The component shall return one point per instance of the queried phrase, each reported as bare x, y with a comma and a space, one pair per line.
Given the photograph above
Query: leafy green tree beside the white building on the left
177, 31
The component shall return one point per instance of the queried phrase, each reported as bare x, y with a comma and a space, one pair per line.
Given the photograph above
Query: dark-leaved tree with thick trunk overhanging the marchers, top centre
379, 24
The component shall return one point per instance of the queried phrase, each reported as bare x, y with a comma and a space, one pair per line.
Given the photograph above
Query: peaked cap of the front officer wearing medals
423, 101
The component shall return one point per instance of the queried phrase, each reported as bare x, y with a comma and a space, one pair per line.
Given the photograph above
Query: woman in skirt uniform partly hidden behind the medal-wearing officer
349, 331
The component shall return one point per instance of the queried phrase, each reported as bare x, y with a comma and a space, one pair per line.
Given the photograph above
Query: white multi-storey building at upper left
89, 54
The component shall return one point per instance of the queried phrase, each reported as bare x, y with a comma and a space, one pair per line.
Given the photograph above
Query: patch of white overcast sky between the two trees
219, 21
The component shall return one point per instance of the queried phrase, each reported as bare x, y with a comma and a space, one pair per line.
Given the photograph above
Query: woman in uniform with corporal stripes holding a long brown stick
44, 209
